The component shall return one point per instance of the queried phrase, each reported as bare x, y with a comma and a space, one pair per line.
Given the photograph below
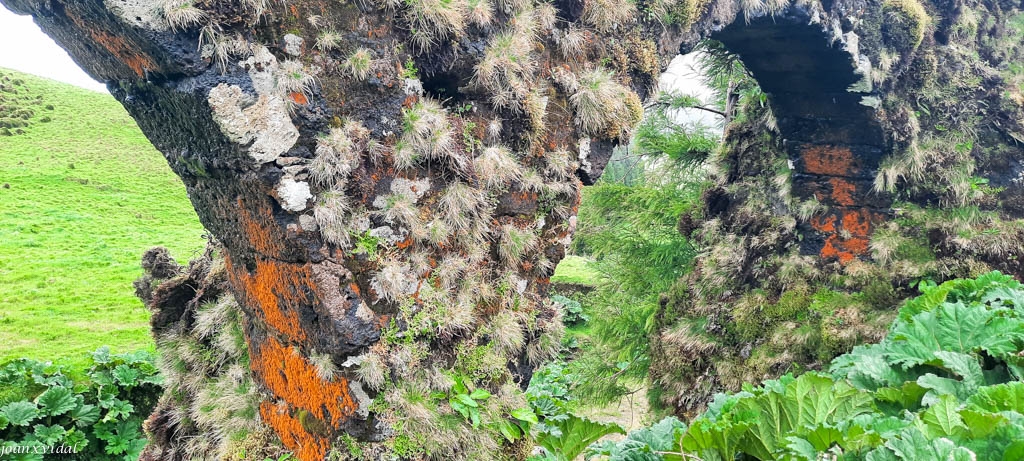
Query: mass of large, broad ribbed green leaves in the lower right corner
946, 385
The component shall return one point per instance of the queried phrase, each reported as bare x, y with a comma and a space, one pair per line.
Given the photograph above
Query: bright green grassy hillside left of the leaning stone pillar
82, 195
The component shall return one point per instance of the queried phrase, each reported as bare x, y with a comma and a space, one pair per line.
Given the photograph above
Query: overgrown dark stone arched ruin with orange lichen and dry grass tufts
392, 184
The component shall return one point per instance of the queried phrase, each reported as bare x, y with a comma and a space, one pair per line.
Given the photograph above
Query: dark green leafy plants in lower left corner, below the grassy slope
101, 417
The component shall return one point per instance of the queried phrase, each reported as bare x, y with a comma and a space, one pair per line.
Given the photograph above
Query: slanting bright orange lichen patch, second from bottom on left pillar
292, 379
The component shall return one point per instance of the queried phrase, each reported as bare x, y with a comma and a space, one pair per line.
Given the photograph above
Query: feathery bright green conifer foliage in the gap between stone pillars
629, 227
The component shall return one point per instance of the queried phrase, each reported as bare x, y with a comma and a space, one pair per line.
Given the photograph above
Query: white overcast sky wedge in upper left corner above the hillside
26, 49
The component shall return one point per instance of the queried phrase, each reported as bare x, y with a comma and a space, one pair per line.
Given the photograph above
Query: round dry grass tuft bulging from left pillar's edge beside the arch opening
604, 107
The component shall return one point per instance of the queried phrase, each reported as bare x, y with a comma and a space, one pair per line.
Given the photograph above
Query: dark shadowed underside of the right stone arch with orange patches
821, 91
